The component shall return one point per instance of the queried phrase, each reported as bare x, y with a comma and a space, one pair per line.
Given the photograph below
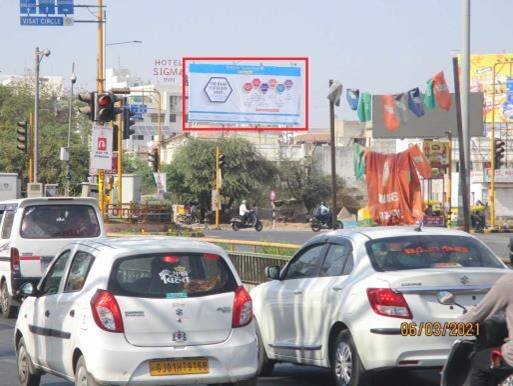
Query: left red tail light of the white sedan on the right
386, 302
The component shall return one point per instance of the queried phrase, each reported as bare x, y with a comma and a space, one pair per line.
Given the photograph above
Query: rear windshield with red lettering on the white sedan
419, 252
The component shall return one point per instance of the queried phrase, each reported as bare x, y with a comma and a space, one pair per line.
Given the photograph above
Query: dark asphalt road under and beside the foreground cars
284, 375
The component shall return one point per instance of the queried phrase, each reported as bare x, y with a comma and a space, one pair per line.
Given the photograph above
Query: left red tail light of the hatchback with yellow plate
106, 312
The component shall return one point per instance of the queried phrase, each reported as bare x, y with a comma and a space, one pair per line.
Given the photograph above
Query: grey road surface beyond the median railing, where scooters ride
498, 242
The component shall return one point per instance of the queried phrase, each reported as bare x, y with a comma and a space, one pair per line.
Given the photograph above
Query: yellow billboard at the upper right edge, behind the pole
481, 80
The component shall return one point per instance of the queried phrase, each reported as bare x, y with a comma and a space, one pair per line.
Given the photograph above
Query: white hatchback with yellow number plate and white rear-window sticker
138, 311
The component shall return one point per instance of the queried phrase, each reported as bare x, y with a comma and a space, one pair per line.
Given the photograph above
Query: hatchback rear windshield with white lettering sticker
173, 275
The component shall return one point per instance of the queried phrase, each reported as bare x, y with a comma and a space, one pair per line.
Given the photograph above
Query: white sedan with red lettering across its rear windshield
348, 299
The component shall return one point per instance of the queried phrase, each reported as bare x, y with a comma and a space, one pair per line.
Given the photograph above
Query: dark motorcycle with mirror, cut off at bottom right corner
492, 333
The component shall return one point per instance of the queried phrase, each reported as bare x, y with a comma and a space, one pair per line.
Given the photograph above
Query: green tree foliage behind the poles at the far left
16, 102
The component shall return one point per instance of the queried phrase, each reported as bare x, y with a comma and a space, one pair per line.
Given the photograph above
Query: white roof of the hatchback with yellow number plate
121, 246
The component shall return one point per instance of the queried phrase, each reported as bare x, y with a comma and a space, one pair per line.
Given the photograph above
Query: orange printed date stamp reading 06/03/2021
456, 329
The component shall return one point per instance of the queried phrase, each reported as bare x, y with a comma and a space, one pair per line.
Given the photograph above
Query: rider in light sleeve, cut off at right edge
498, 299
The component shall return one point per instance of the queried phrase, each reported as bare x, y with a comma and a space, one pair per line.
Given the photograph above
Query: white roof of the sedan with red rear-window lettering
381, 232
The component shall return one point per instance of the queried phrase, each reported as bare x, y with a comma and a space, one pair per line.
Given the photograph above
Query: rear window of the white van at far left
59, 222
